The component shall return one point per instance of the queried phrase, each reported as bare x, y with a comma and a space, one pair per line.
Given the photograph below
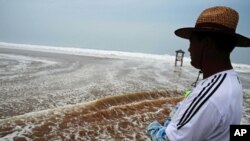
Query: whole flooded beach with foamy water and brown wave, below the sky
50, 93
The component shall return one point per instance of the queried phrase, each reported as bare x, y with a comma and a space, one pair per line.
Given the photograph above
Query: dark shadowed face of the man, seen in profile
196, 51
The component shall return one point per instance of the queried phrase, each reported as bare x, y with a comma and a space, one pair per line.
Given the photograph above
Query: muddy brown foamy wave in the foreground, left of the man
112, 118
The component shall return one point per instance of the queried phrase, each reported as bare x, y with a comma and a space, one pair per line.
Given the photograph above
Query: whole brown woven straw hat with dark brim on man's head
216, 19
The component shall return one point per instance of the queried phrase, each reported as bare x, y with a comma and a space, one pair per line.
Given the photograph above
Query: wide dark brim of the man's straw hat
241, 41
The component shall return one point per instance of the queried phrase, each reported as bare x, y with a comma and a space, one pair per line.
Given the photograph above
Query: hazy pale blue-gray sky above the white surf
126, 25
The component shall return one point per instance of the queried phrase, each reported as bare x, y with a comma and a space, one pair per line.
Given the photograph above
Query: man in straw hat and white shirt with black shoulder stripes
216, 102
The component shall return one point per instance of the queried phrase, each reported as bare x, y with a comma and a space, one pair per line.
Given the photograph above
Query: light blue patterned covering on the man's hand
156, 131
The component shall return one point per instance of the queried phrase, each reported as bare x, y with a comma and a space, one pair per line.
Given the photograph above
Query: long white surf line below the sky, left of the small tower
86, 52
